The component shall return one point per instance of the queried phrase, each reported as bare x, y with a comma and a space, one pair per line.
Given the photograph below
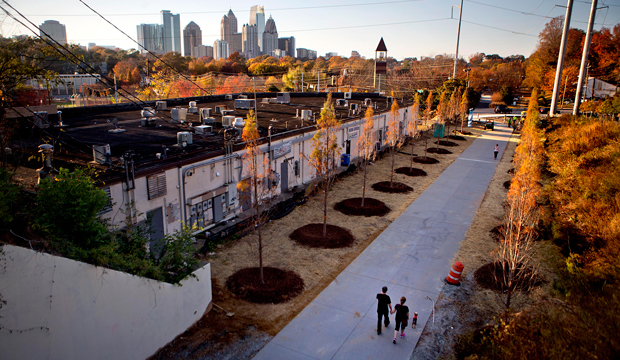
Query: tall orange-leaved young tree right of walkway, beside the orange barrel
515, 252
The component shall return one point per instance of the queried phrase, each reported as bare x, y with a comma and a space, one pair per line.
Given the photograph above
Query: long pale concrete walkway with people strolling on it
412, 257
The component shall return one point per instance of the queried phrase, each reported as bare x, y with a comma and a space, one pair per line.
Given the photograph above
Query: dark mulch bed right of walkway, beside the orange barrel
490, 275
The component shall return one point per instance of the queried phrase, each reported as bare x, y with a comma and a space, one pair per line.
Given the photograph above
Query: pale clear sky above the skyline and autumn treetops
410, 28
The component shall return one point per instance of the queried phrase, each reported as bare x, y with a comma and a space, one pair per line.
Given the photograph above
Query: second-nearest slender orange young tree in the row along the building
324, 155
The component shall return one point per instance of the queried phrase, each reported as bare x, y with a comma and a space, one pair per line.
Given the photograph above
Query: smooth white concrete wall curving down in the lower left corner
58, 308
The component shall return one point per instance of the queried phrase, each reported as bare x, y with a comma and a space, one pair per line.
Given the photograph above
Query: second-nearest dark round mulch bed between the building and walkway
312, 235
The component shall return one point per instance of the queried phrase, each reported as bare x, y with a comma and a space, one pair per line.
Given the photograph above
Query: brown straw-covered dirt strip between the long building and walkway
317, 267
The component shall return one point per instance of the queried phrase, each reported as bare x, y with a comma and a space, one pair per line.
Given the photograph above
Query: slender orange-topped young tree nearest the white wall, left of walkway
257, 176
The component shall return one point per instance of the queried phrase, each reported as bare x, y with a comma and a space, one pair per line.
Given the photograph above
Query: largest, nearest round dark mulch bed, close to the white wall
280, 285
